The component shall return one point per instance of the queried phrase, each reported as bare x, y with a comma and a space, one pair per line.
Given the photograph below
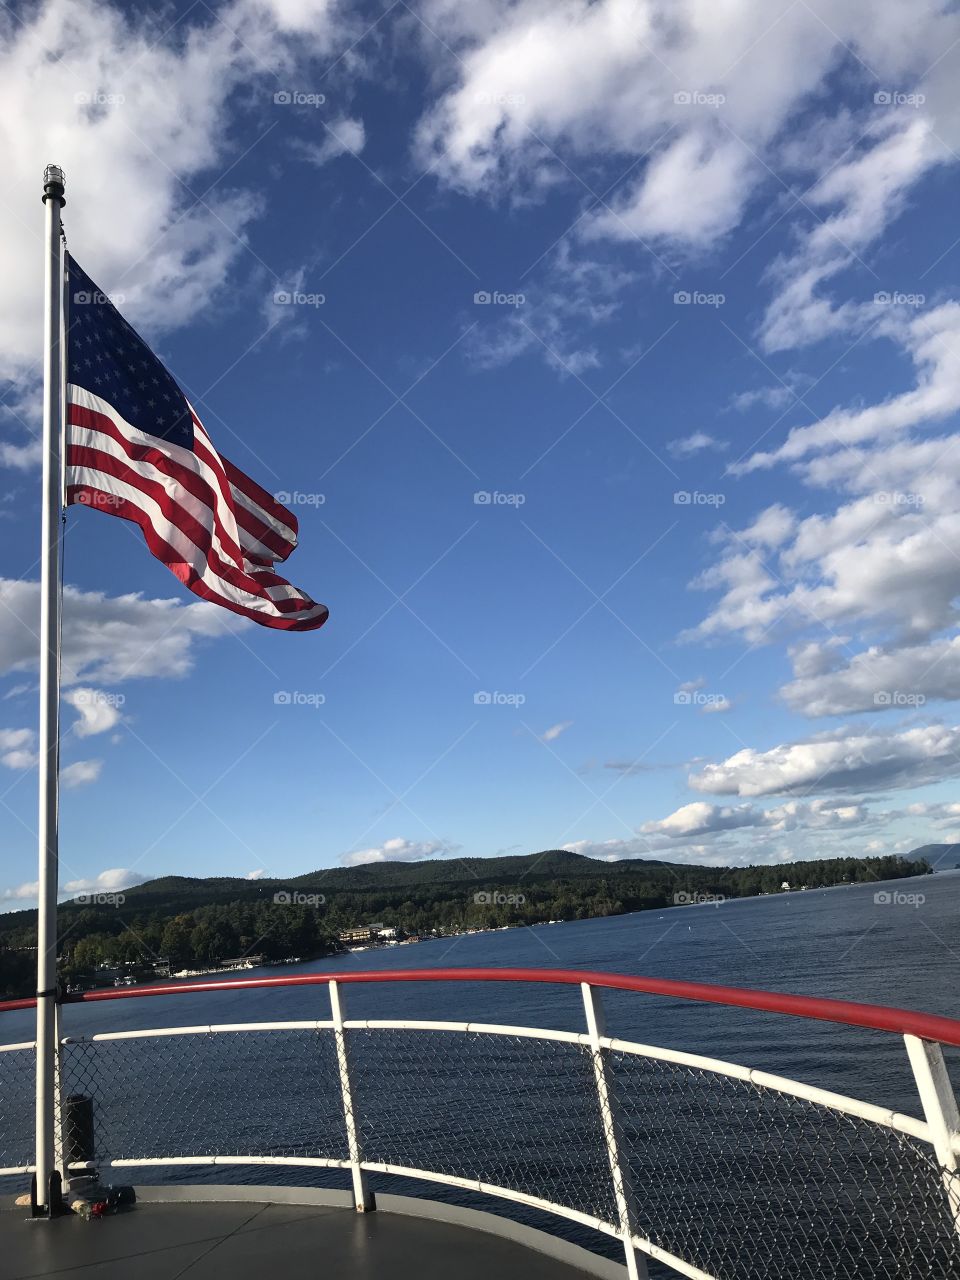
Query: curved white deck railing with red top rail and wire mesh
710, 1168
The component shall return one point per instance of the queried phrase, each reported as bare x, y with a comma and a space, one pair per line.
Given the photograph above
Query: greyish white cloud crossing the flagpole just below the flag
108, 638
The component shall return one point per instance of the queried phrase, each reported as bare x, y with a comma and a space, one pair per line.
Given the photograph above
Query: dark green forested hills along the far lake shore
205, 922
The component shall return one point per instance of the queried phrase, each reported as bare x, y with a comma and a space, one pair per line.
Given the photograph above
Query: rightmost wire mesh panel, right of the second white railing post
747, 1182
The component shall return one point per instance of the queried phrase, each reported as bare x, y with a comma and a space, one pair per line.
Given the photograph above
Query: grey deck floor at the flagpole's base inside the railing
262, 1242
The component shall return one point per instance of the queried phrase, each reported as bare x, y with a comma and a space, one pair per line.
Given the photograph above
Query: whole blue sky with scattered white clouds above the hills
707, 612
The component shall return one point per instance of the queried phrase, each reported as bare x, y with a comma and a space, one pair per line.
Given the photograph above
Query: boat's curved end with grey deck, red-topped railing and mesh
258, 1140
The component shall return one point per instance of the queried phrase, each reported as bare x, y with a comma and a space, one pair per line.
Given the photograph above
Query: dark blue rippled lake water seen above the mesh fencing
842, 943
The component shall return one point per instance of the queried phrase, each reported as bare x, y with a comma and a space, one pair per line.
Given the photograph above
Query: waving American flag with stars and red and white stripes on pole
136, 449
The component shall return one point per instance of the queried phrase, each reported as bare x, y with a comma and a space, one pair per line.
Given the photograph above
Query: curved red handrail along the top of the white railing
881, 1018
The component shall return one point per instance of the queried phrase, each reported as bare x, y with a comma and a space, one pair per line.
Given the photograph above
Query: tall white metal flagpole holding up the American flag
47, 1185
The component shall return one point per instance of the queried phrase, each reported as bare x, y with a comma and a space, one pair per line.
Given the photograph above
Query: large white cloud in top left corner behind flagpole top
141, 113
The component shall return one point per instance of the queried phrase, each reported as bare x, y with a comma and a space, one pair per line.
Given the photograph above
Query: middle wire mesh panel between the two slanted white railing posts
505, 1110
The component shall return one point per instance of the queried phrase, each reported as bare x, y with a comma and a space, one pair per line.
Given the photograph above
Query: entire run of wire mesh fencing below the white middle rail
739, 1181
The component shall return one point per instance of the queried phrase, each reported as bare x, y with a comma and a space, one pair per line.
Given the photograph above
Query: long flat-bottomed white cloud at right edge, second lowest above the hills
848, 761
